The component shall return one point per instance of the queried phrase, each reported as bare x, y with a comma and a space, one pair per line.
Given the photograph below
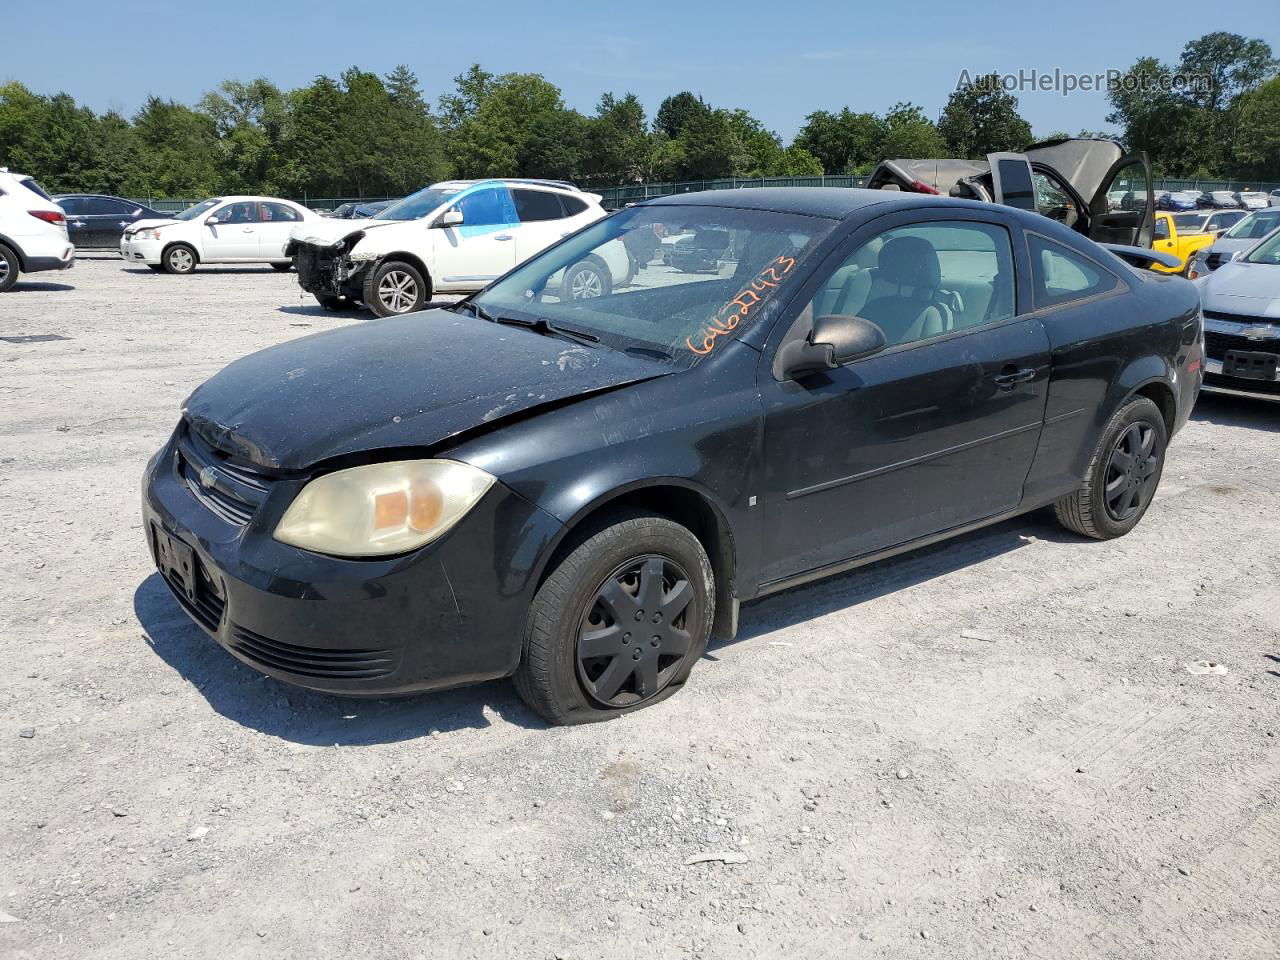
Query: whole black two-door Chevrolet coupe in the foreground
579, 493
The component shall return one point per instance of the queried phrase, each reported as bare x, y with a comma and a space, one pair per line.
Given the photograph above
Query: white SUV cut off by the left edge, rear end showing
33, 231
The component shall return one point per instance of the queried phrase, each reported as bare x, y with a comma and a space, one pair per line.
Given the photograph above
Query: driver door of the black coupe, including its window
935, 432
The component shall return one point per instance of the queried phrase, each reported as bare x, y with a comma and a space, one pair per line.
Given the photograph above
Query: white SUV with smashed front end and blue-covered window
452, 237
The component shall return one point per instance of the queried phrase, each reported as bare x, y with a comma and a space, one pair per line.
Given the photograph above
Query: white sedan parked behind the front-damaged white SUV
217, 231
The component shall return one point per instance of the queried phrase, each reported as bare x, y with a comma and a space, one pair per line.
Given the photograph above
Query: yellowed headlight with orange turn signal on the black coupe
382, 509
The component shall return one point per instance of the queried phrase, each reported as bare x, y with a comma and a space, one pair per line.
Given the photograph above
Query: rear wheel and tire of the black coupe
1123, 476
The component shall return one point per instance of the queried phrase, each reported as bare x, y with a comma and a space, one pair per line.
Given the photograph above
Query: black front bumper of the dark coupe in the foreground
449, 615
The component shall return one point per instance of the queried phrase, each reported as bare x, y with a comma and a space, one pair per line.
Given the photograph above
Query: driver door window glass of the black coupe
925, 281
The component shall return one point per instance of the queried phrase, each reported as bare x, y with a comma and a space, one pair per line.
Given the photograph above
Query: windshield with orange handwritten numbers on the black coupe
674, 284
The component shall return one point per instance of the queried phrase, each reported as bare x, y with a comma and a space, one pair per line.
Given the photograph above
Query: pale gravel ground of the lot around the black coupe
990, 748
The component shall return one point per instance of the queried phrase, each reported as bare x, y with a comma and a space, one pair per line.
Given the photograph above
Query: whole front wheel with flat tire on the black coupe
598, 589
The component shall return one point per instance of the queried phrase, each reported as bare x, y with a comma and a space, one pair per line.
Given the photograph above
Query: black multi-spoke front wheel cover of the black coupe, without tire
634, 641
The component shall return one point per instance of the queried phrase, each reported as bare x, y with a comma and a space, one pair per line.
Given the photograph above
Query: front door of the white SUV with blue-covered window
483, 246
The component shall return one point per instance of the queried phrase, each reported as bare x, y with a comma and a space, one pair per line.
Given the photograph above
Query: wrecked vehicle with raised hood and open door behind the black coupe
1092, 186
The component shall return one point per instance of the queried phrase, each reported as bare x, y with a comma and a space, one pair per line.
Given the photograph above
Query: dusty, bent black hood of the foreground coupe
404, 382
